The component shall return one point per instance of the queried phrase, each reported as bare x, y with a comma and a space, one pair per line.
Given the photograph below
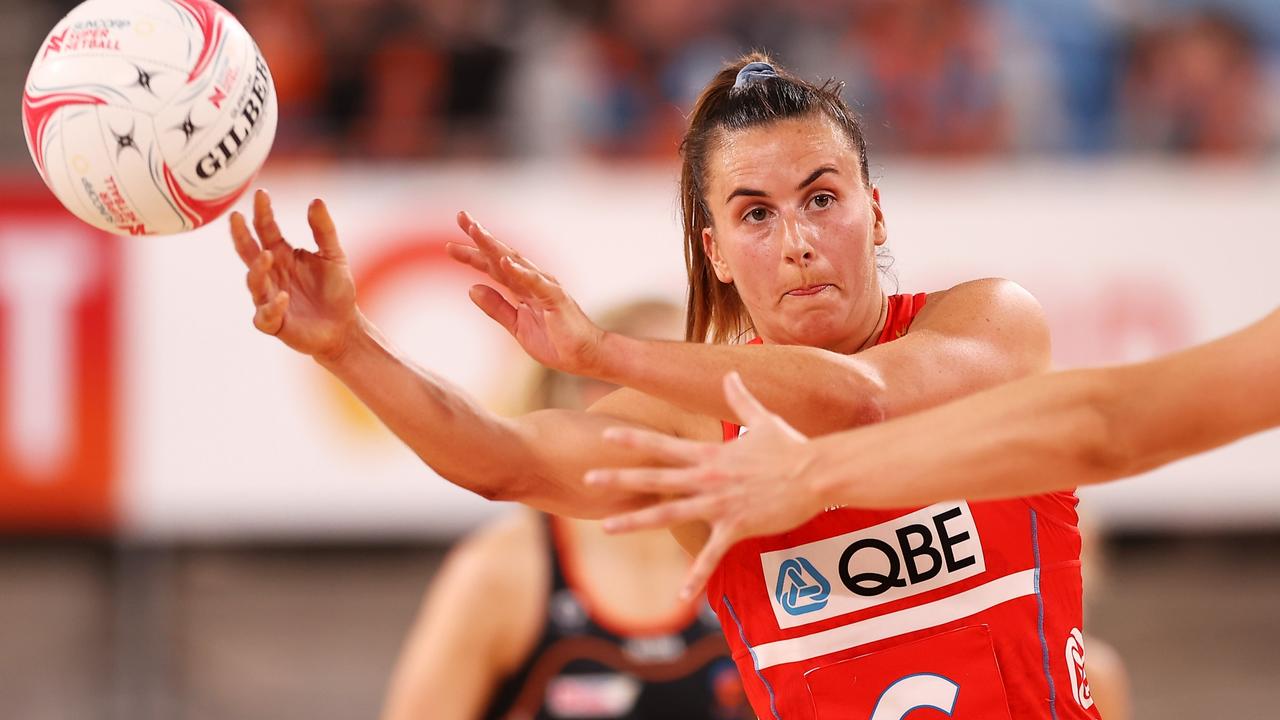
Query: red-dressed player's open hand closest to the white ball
305, 299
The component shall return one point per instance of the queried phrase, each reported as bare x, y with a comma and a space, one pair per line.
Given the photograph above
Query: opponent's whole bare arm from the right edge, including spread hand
1039, 435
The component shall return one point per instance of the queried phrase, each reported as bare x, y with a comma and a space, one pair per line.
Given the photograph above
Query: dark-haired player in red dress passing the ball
860, 613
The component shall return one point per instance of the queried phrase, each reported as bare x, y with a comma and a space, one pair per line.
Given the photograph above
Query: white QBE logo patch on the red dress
909, 555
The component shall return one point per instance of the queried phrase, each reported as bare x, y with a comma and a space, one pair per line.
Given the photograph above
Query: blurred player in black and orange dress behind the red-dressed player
537, 617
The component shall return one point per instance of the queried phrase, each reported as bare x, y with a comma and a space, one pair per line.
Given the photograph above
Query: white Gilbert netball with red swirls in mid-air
149, 117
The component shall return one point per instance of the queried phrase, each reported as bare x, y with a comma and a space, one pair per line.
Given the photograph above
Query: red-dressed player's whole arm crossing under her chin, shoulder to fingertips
971, 338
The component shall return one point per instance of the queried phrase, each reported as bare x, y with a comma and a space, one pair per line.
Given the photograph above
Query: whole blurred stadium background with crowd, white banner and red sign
200, 525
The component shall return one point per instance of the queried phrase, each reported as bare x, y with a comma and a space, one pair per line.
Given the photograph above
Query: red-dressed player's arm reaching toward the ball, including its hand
308, 302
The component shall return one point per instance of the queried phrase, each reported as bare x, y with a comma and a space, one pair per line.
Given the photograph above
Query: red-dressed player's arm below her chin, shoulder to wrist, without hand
968, 339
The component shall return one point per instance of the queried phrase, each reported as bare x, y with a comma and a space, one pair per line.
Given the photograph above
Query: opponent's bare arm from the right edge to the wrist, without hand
1055, 432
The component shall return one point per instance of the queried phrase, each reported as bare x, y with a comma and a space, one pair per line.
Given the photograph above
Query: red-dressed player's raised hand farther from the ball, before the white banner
545, 320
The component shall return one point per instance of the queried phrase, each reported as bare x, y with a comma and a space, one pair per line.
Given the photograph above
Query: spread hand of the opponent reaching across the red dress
746, 489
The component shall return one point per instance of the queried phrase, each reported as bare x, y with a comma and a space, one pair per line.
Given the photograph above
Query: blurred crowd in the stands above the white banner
612, 79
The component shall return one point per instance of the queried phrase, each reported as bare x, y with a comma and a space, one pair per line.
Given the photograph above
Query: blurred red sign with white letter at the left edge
60, 343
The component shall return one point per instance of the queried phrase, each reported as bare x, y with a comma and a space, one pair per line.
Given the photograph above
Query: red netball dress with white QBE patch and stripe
966, 610
